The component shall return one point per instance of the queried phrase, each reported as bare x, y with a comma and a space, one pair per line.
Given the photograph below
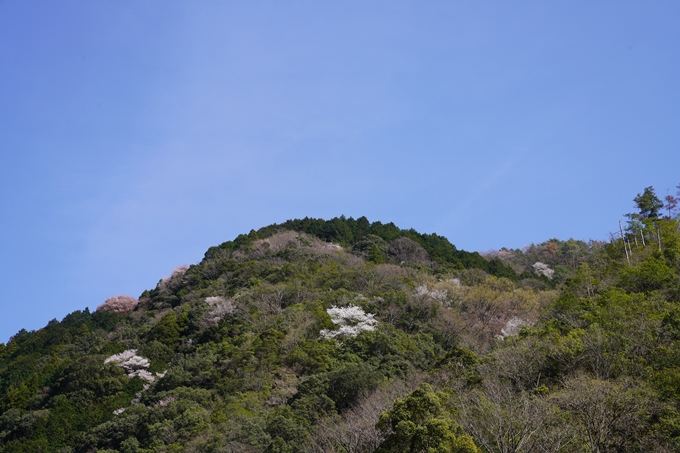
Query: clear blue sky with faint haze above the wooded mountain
135, 135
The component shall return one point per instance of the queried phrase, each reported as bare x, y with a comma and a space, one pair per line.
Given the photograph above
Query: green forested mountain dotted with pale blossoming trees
355, 337
